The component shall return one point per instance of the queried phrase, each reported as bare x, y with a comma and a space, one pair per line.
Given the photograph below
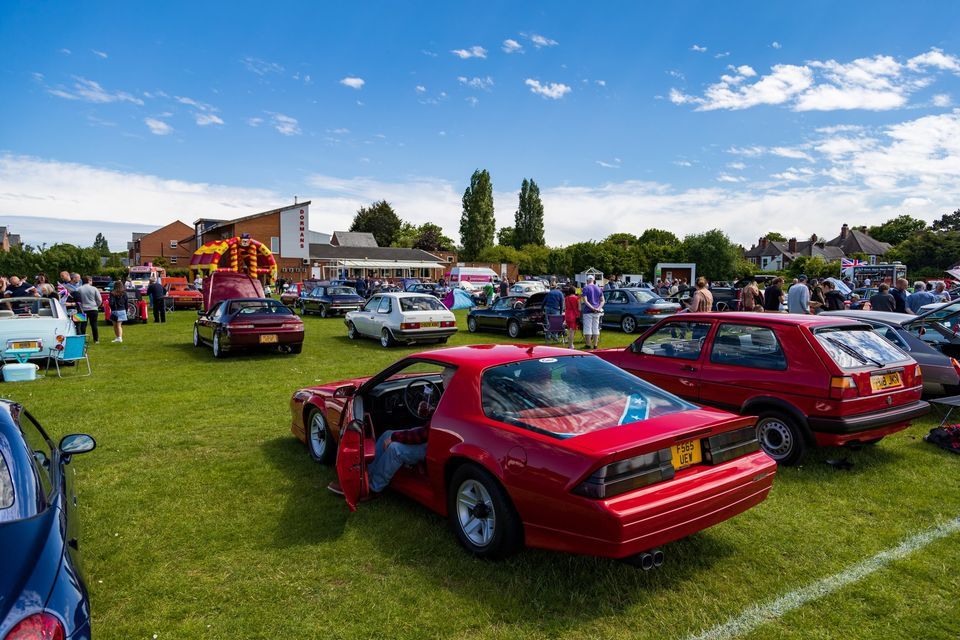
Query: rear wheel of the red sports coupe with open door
497, 537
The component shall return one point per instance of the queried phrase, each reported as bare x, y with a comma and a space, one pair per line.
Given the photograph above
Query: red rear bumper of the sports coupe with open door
656, 515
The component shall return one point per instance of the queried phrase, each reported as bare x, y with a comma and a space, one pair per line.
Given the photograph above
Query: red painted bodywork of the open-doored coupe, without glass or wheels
539, 471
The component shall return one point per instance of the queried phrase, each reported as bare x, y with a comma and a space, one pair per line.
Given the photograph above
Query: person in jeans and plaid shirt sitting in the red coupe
402, 448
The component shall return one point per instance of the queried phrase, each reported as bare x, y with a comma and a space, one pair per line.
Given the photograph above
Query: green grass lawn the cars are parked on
203, 517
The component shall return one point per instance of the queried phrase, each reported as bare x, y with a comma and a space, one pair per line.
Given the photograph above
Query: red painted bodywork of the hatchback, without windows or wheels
804, 385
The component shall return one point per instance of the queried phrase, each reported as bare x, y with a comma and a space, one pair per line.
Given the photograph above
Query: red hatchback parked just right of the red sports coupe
811, 380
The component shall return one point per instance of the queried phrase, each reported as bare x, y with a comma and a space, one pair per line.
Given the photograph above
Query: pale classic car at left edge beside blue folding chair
33, 324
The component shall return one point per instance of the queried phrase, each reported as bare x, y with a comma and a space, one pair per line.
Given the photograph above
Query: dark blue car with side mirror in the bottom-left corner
42, 594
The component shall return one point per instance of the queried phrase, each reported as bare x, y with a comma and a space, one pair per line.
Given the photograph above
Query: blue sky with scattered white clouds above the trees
794, 116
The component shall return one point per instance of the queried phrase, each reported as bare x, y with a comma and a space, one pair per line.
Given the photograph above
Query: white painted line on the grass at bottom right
759, 615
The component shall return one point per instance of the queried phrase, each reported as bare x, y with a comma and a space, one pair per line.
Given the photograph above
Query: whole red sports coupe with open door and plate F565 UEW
544, 447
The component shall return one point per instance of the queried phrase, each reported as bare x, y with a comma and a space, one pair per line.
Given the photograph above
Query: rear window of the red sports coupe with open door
571, 395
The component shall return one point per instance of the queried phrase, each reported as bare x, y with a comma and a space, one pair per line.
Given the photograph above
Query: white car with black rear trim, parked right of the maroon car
401, 318
